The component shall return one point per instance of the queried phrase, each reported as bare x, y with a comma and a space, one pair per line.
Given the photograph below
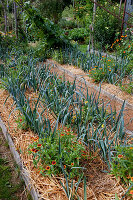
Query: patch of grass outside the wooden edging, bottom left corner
11, 186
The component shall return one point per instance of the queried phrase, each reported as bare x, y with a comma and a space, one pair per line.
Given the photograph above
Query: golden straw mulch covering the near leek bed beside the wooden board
100, 185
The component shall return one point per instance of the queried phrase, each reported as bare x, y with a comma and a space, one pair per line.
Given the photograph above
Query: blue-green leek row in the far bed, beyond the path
119, 66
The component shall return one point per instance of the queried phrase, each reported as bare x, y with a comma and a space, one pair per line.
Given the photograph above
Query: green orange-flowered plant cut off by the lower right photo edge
122, 163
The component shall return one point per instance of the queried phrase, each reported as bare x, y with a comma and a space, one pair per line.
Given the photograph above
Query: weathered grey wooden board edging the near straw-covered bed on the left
23, 171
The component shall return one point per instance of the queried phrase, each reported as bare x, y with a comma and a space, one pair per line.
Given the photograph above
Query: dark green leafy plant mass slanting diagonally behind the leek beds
52, 32
